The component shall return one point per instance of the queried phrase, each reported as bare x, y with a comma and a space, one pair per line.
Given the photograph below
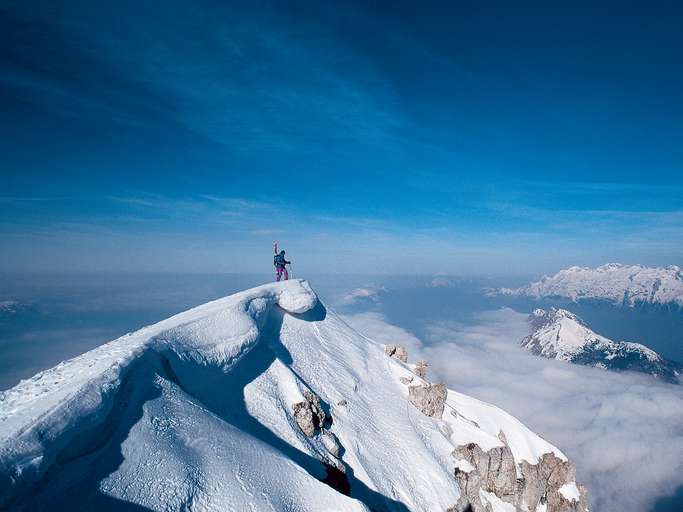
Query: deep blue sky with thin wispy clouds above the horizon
439, 137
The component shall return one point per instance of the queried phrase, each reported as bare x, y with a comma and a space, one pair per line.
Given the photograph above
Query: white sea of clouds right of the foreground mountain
624, 432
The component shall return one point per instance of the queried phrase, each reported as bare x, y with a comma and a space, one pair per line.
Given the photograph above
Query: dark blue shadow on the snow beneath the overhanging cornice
74, 481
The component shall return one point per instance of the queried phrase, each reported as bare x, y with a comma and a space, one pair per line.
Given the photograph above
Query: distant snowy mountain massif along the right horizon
627, 285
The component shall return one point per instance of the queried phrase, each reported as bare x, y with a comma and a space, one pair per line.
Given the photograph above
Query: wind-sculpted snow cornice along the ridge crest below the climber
58, 413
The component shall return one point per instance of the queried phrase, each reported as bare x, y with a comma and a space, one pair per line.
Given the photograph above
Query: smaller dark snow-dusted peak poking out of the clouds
559, 334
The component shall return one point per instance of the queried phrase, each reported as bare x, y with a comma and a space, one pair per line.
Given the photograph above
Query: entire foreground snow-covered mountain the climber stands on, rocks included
264, 400
